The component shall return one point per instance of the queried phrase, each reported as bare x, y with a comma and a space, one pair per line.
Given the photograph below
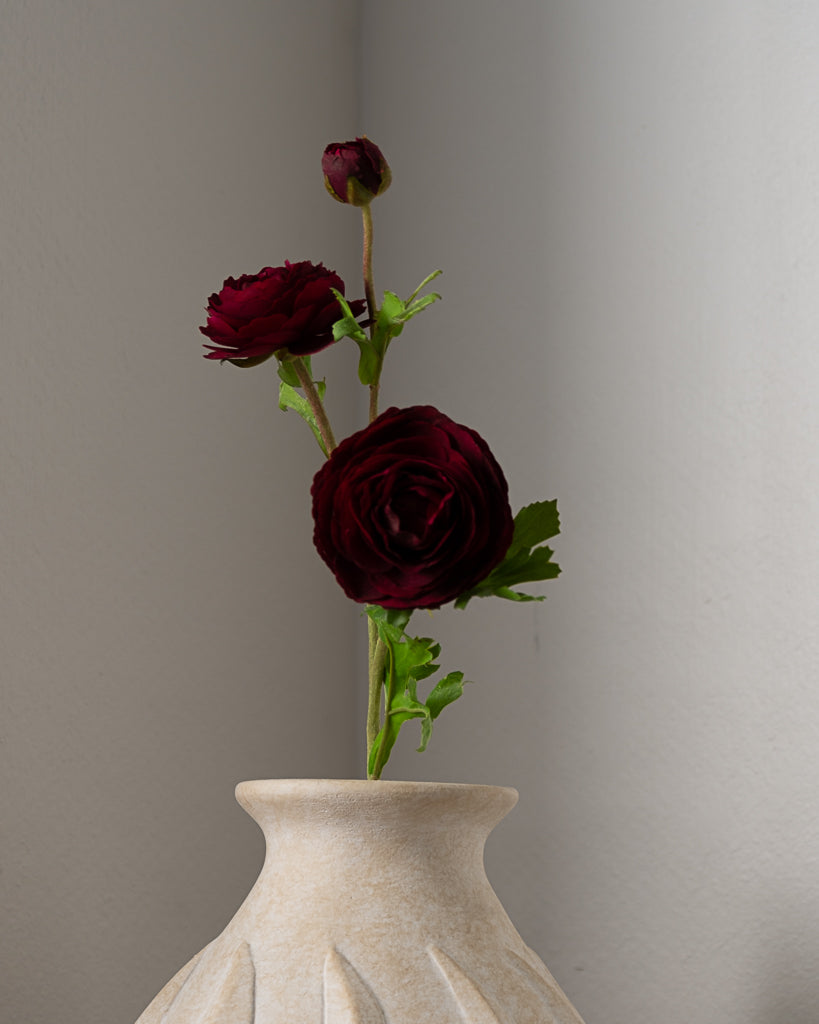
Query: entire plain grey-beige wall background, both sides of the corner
624, 198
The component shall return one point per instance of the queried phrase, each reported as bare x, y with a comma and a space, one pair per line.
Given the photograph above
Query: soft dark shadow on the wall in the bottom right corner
788, 970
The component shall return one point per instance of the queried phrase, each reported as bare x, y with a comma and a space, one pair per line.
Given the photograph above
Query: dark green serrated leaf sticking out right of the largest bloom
526, 562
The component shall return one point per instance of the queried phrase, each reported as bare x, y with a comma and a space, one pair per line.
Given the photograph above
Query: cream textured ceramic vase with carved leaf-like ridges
373, 908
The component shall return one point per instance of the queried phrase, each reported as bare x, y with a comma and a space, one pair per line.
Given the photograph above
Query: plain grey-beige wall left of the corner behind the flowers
155, 538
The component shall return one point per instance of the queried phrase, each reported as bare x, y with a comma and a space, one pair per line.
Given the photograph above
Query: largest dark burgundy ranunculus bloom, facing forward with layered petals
412, 511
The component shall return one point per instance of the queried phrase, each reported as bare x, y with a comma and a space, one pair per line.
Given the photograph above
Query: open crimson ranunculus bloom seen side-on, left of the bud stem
290, 307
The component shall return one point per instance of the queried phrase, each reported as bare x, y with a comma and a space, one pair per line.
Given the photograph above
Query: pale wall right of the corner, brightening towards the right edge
624, 198
